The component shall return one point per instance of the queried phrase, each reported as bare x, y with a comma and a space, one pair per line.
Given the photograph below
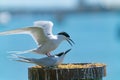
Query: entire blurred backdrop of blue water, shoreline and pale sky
94, 25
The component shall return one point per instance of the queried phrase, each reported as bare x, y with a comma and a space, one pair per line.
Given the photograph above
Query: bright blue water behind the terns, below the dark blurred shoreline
95, 35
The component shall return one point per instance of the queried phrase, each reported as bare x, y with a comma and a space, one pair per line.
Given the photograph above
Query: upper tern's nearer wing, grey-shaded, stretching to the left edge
36, 32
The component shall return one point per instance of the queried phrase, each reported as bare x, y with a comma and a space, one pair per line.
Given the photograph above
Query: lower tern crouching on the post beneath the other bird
46, 61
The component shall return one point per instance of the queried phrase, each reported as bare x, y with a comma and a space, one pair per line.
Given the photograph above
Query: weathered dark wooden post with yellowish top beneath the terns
75, 71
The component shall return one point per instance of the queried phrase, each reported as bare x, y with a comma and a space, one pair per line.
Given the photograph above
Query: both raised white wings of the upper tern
40, 32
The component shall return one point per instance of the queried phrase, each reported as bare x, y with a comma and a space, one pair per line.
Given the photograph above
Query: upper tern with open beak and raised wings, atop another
42, 34
